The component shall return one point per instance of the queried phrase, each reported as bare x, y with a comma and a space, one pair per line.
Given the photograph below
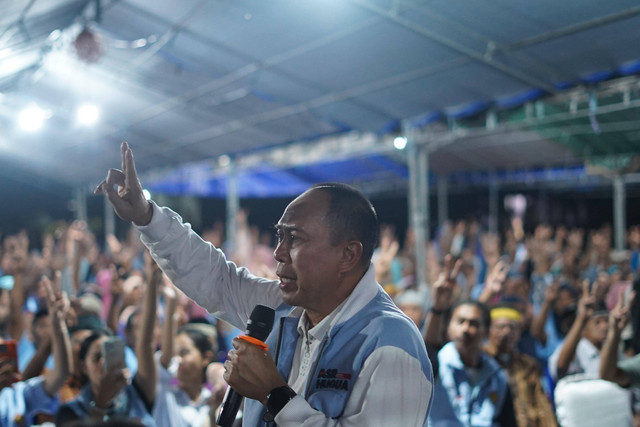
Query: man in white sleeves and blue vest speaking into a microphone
333, 320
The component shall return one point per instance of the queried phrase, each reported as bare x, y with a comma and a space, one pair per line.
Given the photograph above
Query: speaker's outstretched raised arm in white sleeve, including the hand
196, 267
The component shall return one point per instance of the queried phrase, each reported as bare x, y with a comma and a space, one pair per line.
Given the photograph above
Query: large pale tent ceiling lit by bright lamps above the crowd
195, 79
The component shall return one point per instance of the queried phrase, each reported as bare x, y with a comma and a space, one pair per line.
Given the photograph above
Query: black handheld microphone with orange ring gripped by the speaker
259, 326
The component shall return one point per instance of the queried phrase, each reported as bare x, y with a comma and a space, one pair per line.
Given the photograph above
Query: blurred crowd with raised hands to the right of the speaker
527, 329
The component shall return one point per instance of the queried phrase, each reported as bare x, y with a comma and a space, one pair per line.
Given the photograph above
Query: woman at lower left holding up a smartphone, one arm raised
107, 393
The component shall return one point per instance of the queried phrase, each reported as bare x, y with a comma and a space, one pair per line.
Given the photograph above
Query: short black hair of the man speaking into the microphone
351, 216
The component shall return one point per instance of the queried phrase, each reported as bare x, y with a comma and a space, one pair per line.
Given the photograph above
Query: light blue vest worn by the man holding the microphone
342, 354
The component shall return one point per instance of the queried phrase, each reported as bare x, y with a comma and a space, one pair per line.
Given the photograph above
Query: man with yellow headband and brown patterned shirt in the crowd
531, 405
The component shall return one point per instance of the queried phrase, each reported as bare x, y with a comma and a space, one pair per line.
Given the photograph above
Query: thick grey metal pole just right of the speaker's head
417, 158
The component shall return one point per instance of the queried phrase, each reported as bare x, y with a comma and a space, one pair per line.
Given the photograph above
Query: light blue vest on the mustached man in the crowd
456, 403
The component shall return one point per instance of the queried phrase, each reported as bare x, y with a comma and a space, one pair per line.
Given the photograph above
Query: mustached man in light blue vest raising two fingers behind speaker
470, 389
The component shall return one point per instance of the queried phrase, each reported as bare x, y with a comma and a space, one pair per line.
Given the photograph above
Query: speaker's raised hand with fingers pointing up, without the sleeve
128, 200
